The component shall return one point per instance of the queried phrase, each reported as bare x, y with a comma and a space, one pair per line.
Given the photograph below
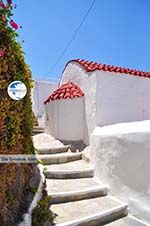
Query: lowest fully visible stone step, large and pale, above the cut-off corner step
89, 212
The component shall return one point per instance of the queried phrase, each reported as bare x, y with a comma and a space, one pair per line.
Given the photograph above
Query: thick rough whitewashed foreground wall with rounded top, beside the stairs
121, 157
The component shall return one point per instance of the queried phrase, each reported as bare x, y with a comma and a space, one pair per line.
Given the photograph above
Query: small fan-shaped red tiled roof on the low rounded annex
67, 90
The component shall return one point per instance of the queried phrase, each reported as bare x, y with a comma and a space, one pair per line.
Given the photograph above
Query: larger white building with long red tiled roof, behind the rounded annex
112, 94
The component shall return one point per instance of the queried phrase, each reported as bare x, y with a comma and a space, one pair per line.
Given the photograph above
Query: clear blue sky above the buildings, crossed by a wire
115, 32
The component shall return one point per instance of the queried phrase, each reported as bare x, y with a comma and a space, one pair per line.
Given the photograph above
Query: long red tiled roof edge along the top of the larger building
90, 66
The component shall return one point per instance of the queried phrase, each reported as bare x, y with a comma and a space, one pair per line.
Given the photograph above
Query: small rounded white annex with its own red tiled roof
65, 115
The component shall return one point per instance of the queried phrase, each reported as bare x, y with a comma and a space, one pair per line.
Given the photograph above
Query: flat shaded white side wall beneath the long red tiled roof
121, 98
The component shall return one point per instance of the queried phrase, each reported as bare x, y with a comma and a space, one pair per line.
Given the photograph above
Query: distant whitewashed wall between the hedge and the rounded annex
40, 92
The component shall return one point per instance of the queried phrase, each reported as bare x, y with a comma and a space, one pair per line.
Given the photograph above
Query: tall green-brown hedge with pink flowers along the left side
15, 119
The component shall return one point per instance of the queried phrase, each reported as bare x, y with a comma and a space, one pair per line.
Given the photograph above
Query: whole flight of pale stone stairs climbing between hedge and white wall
77, 196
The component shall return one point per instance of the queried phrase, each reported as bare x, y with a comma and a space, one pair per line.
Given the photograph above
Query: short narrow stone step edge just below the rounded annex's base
53, 150
